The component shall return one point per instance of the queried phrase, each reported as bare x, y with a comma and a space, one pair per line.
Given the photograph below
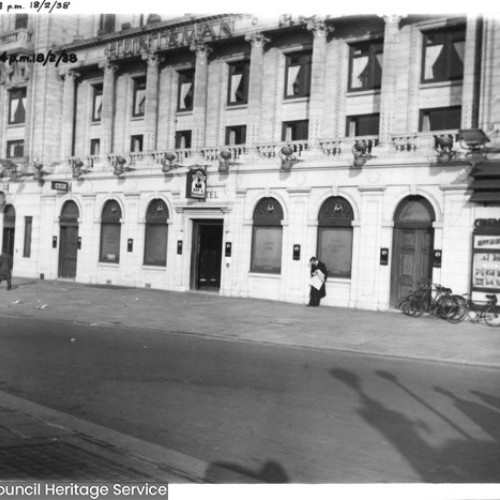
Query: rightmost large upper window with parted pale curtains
443, 57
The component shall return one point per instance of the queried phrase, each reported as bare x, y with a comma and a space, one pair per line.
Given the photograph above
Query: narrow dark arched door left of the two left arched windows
68, 240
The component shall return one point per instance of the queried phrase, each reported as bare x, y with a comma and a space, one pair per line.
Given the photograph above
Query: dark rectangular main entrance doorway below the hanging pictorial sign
206, 255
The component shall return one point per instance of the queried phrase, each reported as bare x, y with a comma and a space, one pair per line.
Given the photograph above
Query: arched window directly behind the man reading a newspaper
335, 236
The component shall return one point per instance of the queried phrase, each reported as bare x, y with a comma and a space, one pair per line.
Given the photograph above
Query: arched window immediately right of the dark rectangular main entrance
267, 237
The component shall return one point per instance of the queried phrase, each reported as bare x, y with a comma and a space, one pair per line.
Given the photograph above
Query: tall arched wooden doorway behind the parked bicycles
413, 242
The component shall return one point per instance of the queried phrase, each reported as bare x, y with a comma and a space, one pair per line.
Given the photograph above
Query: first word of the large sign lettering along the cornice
203, 31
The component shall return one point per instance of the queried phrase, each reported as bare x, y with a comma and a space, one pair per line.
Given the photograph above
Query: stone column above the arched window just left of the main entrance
151, 109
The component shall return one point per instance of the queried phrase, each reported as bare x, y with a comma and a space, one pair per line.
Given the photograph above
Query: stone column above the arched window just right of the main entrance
258, 41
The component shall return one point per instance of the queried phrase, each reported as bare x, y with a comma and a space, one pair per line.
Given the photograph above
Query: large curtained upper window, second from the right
365, 65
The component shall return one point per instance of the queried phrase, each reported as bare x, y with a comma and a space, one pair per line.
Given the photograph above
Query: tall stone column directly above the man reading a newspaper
318, 82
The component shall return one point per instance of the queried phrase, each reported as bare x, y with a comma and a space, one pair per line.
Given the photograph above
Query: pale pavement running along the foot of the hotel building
376, 333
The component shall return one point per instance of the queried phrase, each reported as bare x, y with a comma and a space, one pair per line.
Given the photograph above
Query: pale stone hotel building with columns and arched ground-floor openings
221, 152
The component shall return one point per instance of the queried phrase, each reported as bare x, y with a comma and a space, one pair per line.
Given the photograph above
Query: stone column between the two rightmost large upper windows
388, 87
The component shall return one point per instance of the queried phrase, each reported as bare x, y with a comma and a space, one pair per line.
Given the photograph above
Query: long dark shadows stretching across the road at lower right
463, 460
